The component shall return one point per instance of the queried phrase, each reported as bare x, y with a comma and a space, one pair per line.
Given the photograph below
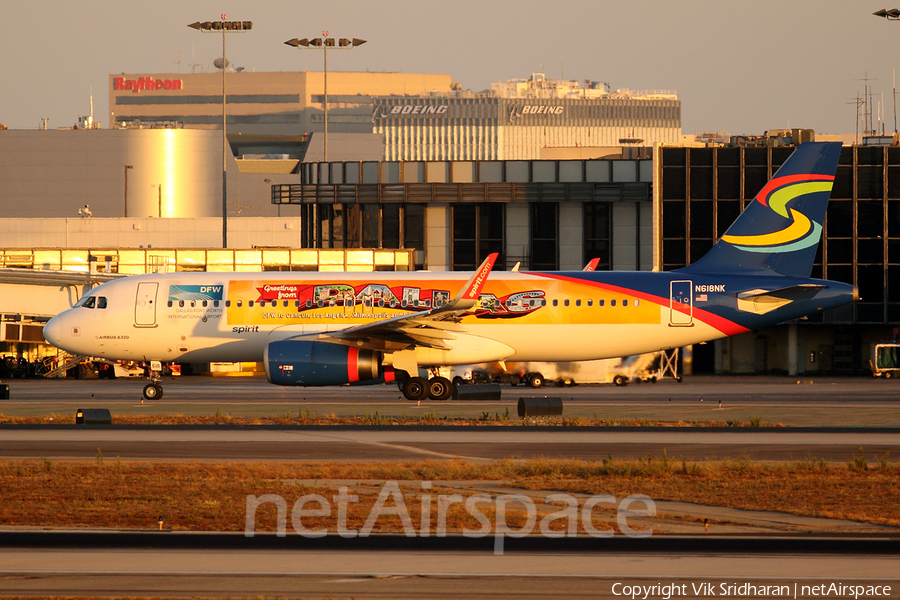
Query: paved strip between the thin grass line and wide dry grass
225, 443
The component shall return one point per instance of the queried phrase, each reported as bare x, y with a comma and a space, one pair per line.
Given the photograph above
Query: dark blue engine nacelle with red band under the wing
301, 362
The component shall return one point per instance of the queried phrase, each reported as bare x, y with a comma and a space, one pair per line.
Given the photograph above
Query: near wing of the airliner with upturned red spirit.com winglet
429, 329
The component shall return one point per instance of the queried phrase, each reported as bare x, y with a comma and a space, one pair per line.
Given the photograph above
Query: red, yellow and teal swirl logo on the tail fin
800, 231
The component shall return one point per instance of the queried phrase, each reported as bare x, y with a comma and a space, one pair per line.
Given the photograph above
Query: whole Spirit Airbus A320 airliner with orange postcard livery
315, 329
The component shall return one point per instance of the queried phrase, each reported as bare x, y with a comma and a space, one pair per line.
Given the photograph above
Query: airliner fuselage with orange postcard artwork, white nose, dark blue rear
522, 316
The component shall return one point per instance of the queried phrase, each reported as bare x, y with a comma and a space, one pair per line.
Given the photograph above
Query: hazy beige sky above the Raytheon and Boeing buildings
740, 67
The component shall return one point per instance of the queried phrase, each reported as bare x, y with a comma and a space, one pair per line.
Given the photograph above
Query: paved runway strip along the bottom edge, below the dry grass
428, 568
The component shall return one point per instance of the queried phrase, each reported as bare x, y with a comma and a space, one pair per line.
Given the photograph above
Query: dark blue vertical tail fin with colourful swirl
779, 231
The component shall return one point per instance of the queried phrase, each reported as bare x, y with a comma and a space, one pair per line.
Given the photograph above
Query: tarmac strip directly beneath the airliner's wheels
802, 401
